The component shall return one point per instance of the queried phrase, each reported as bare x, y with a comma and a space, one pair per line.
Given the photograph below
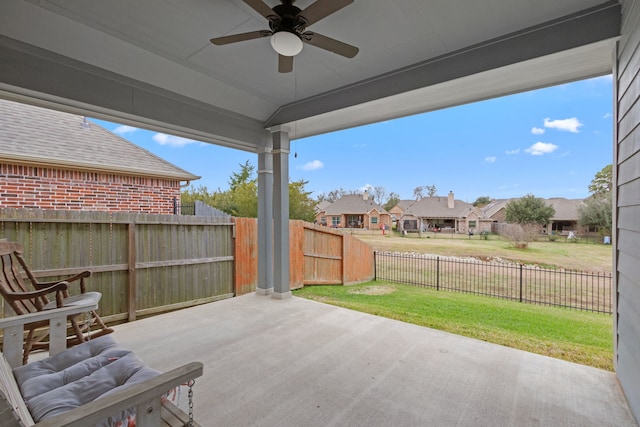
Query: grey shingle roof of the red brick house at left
42, 137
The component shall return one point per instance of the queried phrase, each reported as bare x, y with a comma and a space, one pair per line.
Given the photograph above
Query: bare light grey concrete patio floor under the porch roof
296, 362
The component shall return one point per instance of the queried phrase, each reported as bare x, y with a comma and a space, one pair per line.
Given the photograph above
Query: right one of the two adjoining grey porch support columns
281, 213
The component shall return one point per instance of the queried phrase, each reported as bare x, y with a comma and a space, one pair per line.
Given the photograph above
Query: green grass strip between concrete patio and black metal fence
579, 337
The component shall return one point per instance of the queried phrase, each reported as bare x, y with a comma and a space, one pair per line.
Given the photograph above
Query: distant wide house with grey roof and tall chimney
442, 214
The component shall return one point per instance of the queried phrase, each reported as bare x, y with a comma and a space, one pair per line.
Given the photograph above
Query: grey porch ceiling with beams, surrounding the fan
149, 63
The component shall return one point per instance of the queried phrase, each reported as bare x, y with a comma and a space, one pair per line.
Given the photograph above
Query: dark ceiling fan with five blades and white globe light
287, 29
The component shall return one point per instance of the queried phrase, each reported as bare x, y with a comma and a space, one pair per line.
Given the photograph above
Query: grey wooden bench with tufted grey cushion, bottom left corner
93, 383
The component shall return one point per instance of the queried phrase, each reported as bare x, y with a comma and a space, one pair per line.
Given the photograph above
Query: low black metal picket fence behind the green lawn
518, 282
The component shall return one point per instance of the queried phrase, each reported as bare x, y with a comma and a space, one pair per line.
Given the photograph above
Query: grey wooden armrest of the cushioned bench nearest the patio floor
145, 396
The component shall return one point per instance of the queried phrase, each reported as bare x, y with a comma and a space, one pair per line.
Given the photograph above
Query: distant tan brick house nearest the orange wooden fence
354, 211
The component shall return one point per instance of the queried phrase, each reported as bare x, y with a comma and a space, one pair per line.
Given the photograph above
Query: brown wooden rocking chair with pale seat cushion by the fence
24, 301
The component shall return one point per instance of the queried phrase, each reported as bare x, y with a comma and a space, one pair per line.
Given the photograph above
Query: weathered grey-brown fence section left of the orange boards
142, 264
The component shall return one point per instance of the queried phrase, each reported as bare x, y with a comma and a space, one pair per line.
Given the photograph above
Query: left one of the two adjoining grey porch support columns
265, 220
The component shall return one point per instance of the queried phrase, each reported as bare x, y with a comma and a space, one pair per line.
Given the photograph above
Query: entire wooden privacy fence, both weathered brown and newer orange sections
146, 264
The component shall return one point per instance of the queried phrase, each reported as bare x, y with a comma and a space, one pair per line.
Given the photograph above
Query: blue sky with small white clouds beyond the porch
549, 142
